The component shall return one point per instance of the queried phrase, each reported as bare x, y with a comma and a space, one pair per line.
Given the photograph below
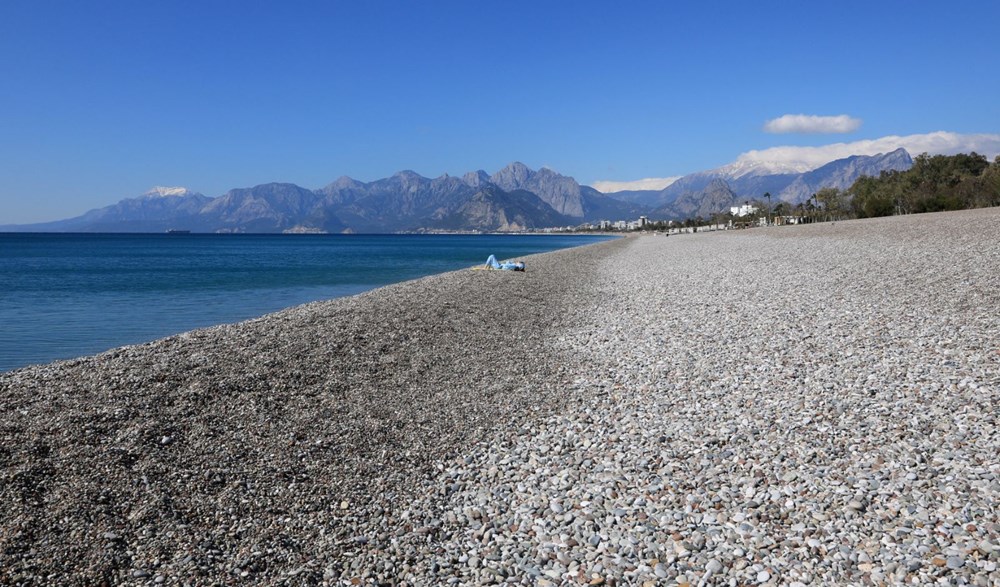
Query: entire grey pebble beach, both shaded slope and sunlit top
797, 405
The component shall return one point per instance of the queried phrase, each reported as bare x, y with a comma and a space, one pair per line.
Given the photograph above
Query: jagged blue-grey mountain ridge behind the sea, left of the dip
515, 198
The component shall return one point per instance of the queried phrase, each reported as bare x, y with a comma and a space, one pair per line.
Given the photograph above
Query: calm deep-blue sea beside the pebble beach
69, 295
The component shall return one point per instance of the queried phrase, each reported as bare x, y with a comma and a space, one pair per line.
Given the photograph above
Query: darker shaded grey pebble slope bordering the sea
216, 437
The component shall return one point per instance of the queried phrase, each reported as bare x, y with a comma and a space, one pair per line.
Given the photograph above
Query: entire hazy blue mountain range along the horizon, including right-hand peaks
515, 198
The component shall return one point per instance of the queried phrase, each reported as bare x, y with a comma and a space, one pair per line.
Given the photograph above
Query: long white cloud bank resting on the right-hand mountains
935, 143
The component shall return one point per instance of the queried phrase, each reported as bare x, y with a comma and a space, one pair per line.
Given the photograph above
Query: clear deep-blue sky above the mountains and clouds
103, 100
